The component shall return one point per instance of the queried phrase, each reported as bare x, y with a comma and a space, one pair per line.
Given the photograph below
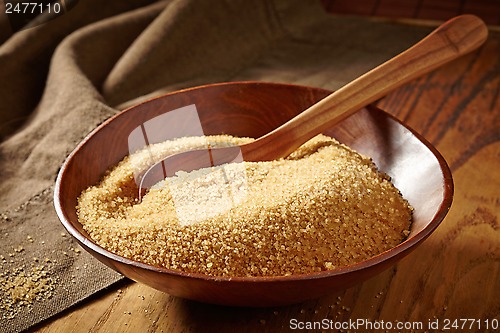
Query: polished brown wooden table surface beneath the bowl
454, 275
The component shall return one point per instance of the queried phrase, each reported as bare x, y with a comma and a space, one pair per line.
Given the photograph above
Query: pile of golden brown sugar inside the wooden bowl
323, 207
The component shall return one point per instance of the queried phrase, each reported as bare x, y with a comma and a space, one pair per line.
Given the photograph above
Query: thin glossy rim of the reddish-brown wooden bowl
401, 249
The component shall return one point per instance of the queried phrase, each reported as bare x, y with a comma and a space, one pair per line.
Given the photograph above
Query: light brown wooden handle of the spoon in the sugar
449, 41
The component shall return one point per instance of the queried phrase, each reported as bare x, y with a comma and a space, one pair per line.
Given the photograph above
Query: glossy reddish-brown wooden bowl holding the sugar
252, 109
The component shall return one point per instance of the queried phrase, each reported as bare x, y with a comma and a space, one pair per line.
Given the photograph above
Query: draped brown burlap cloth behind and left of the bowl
59, 80
